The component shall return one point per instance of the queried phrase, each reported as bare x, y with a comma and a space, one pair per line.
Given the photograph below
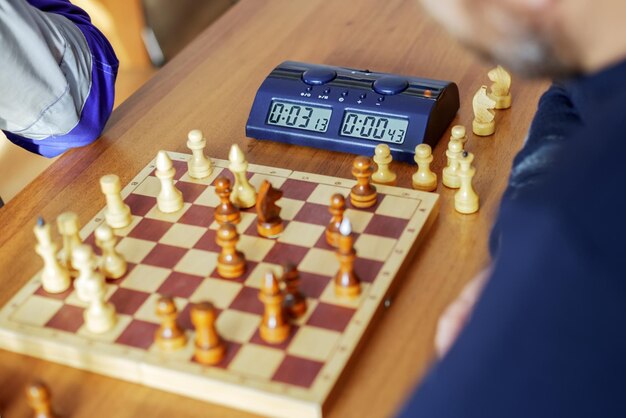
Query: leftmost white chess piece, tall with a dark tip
55, 277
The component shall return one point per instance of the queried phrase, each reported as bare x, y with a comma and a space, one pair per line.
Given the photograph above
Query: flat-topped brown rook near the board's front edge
209, 347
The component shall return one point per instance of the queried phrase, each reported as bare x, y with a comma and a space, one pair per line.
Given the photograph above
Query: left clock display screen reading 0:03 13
299, 116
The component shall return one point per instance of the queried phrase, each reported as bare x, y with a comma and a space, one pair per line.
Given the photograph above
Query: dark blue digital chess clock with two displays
343, 109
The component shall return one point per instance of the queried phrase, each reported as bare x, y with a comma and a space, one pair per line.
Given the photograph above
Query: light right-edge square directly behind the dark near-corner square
314, 343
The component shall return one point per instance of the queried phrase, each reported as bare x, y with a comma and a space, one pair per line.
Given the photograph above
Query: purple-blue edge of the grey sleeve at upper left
99, 103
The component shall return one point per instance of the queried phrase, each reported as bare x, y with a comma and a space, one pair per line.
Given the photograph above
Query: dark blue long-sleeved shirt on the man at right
547, 338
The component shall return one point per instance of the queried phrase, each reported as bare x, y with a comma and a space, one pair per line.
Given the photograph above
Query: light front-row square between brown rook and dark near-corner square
256, 360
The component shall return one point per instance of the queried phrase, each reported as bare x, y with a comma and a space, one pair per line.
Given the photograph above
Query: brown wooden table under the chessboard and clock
211, 86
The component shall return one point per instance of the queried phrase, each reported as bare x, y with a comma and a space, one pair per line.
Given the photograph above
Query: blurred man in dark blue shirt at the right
541, 333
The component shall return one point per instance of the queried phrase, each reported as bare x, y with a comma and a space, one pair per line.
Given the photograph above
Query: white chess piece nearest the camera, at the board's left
100, 315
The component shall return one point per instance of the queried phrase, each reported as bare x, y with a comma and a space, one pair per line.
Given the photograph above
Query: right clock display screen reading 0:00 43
374, 127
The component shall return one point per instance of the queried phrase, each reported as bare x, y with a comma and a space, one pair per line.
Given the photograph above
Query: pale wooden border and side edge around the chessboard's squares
167, 372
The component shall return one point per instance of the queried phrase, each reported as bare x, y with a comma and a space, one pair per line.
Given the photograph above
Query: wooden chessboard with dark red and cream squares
176, 255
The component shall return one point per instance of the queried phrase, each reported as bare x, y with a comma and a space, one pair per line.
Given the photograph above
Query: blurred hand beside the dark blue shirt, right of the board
458, 312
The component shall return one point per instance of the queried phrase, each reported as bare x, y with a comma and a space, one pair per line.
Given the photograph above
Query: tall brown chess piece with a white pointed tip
347, 284
